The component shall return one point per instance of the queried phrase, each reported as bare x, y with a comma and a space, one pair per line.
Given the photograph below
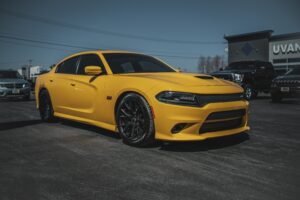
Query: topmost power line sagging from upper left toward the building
101, 31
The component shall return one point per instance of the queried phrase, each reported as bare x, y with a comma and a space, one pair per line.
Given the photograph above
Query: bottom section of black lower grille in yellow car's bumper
221, 126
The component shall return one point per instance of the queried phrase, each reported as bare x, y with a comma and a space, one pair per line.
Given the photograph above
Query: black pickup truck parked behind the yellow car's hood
253, 76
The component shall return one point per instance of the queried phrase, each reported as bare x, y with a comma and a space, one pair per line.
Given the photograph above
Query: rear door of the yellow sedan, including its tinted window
61, 85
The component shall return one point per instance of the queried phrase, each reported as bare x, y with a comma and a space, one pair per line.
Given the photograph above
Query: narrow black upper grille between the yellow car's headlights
204, 99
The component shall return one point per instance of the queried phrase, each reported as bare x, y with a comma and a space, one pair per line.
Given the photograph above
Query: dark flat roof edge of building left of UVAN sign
249, 36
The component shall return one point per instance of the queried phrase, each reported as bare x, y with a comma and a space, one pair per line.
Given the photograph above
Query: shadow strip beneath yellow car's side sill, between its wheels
91, 128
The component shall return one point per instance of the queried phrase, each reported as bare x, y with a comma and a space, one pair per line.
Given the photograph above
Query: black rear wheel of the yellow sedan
45, 107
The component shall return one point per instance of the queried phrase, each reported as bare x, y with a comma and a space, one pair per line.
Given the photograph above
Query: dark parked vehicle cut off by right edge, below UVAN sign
286, 86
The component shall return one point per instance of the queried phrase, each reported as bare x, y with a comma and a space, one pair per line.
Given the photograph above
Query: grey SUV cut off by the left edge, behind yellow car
13, 85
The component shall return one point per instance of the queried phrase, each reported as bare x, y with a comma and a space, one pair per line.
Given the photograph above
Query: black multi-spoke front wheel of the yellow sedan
135, 120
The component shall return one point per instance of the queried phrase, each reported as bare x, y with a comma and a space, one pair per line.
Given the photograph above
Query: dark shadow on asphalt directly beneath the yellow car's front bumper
210, 144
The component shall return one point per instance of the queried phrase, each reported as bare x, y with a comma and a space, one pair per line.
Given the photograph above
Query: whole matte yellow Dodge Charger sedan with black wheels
140, 97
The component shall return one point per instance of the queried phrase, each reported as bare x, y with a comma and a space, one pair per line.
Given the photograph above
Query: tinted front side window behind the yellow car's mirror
88, 60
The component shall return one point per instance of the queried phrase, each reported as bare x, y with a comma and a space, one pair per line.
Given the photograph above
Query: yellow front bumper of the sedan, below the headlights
196, 119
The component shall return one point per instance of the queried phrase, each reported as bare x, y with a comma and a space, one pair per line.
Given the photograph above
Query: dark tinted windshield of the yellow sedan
134, 63
